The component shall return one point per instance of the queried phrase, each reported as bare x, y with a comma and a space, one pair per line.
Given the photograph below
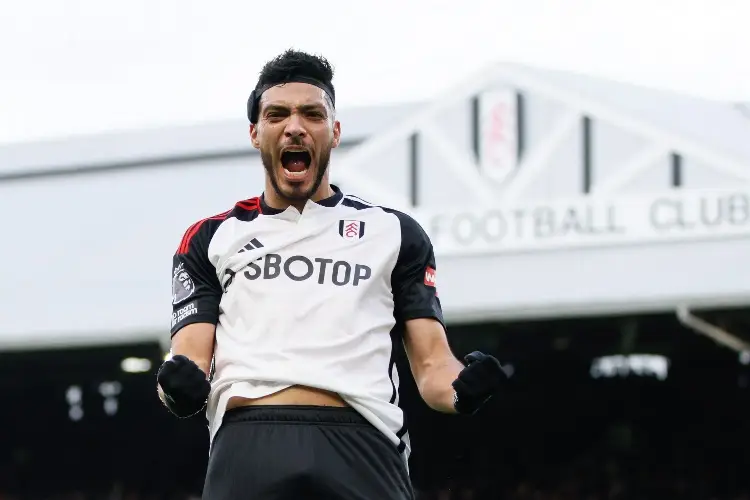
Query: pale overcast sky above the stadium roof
84, 66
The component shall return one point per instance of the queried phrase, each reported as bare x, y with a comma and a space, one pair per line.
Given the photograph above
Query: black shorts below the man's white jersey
303, 452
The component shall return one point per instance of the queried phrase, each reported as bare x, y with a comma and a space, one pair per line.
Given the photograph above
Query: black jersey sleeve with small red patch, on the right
413, 278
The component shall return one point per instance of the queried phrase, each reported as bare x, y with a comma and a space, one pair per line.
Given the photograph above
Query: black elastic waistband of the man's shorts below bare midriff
295, 413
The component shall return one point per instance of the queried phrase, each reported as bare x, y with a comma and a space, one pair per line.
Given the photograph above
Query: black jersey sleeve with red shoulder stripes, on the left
196, 291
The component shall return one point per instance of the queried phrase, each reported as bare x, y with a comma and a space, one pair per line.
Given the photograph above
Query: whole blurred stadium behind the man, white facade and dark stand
590, 234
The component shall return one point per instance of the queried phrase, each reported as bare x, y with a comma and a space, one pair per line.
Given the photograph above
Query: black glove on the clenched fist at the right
476, 383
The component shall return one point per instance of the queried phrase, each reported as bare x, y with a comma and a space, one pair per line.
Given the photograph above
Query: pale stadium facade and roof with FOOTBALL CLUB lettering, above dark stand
546, 195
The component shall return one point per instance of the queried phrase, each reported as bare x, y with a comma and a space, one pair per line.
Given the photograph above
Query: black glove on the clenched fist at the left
184, 386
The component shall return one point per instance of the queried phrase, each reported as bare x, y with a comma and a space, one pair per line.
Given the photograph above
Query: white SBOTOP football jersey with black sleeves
316, 298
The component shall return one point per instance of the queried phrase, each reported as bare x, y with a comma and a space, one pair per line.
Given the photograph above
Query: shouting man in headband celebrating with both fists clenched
287, 310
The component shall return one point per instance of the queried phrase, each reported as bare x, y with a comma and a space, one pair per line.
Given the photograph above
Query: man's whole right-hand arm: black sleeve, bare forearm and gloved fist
445, 384
